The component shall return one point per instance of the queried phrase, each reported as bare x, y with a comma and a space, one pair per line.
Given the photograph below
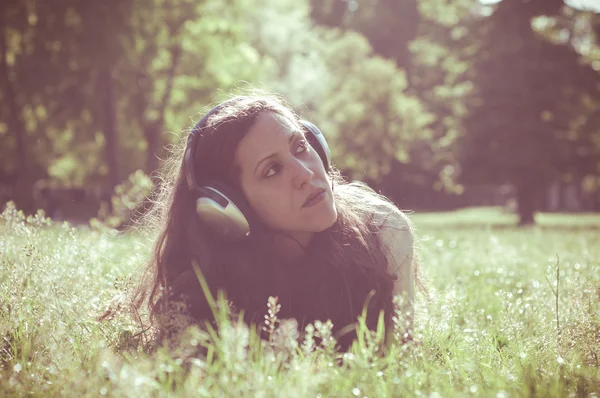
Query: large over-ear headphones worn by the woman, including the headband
221, 207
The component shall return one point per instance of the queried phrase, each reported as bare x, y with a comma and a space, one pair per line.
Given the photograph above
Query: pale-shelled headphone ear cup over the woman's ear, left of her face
225, 212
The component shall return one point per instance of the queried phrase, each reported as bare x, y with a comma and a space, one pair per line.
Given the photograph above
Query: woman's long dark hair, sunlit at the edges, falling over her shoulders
344, 265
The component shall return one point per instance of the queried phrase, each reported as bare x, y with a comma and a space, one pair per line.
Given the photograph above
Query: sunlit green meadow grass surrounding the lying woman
492, 330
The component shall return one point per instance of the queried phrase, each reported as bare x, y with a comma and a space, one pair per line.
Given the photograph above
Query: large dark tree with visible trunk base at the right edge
530, 114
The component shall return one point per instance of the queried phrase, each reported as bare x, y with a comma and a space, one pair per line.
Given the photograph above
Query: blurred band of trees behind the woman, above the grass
438, 104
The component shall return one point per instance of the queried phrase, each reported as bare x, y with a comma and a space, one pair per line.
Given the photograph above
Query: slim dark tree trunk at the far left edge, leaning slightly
23, 186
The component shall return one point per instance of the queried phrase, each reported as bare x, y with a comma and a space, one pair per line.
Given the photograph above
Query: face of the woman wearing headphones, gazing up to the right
279, 172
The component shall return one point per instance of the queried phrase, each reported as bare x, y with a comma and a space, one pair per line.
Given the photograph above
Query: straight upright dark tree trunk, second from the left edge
110, 129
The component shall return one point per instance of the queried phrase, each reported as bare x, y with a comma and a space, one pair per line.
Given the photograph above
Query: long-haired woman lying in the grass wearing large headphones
255, 206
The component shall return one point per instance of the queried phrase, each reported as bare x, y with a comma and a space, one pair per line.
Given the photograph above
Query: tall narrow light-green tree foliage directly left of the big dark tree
439, 78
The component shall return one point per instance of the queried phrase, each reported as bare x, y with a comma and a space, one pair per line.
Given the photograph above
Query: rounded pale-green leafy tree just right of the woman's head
369, 113
